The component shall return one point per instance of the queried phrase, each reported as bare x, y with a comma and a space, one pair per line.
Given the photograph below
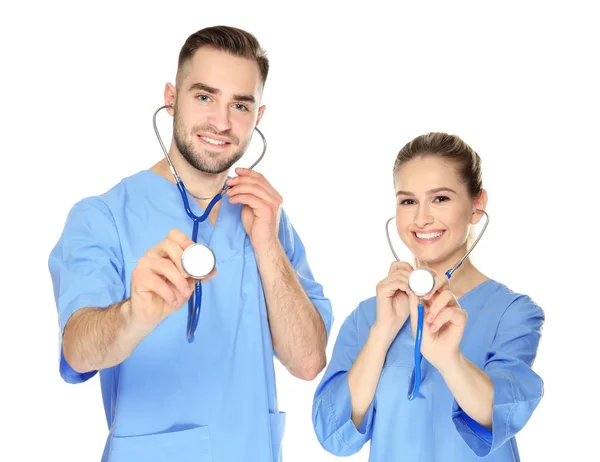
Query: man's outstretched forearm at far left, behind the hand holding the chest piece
99, 338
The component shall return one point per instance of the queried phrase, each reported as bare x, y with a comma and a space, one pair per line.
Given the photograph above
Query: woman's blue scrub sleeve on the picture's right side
517, 388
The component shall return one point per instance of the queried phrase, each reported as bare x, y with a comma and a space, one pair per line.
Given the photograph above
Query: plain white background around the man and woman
348, 87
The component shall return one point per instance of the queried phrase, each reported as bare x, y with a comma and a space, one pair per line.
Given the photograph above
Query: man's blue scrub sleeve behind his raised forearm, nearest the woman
296, 252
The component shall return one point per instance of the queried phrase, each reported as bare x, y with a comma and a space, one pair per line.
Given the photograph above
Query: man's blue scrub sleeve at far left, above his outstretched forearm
86, 268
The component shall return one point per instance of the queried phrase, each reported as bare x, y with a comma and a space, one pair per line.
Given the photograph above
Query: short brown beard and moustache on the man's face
205, 161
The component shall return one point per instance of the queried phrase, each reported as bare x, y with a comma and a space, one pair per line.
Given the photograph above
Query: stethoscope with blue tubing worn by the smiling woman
421, 282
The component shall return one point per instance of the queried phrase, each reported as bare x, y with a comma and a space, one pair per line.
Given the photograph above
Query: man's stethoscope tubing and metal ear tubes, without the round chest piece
195, 301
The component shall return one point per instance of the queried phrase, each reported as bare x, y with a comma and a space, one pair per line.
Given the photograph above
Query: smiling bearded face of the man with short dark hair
216, 109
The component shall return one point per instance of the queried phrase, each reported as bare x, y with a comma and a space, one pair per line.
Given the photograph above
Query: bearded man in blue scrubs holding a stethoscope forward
122, 293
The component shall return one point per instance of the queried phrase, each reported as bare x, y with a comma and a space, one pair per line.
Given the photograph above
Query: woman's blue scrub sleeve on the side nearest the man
332, 408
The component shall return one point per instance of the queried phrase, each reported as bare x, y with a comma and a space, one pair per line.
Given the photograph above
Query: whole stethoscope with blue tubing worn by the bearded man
197, 260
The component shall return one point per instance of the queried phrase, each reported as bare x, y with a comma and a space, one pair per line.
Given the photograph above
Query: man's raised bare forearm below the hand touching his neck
297, 329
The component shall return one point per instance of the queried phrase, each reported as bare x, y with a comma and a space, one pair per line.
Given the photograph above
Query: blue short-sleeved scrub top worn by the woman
501, 337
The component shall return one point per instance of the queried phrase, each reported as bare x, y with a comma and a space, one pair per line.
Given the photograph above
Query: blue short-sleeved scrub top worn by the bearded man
214, 399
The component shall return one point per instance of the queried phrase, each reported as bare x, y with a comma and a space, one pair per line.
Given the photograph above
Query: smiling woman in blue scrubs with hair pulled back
479, 341
